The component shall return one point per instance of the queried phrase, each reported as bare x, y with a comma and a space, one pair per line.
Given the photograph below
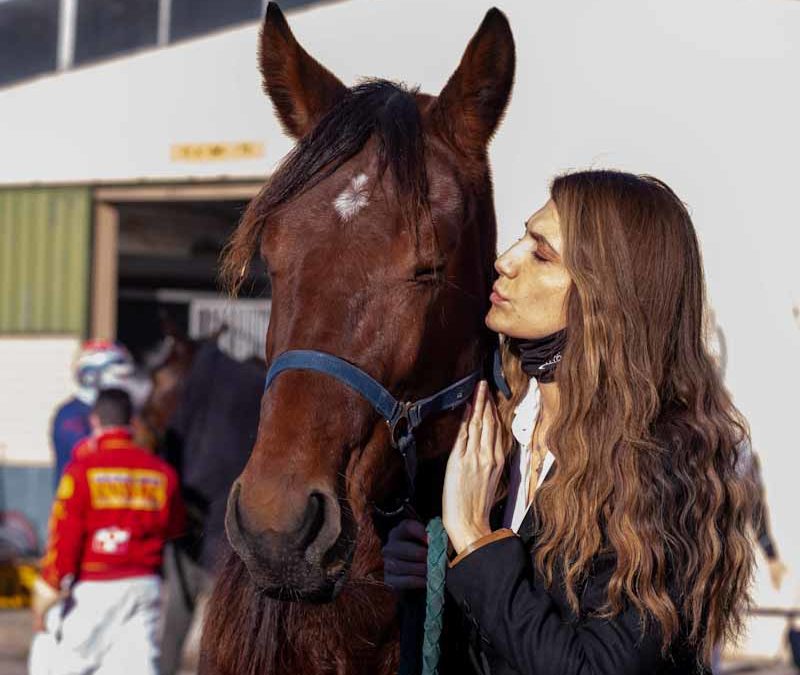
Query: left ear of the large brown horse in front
301, 90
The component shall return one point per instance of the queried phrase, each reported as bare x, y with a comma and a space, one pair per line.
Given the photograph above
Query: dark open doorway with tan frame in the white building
166, 253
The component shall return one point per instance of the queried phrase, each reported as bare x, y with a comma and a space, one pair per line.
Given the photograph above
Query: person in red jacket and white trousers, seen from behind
116, 507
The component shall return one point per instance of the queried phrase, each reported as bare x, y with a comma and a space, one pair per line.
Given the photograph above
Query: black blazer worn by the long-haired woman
520, 628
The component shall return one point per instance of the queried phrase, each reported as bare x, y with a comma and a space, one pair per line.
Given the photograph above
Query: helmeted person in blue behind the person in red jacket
97, 362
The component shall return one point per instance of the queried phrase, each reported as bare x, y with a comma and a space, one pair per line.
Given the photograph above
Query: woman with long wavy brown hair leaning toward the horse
623, 543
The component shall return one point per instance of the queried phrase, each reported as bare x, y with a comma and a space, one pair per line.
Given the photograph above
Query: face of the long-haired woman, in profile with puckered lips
529, 297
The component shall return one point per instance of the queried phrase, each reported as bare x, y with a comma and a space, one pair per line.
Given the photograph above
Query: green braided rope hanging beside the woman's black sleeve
434, 605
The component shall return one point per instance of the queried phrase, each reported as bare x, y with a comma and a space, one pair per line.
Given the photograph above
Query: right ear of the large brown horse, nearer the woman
473, 101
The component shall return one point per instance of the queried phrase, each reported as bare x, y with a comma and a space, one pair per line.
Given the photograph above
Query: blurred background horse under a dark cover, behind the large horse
202, 417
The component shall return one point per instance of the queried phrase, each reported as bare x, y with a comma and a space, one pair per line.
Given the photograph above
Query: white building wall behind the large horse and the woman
701, 93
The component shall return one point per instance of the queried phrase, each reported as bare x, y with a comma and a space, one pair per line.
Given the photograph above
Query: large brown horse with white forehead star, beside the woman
379, 235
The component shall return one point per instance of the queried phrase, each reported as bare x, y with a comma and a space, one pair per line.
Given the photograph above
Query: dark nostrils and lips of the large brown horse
307, 564
